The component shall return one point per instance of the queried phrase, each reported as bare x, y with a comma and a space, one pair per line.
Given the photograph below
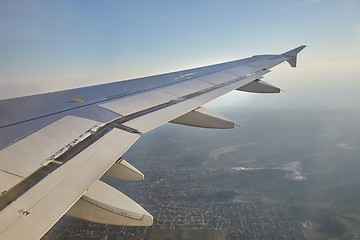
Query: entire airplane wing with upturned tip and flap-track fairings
54, 147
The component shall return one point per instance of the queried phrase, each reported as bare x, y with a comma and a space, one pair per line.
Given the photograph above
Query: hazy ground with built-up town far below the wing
270, 182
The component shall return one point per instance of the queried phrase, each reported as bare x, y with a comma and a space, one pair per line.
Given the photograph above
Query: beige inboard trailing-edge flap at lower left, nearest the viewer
32, 214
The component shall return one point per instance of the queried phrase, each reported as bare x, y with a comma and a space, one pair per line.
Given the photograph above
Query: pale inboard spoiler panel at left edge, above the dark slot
32, 152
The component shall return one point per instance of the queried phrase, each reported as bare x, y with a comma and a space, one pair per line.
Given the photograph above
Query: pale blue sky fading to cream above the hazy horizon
50, 45
